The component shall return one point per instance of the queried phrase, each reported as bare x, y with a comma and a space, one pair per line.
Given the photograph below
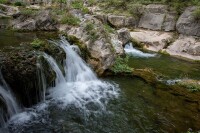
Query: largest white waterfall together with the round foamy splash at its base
81, 87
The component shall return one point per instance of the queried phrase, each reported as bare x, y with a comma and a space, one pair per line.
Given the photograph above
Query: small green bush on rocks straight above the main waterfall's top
70, 20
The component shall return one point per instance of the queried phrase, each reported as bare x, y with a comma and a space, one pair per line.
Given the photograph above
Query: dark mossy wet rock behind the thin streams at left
19, 68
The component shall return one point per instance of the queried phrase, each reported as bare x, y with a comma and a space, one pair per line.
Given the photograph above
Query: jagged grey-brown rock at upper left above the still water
42, 21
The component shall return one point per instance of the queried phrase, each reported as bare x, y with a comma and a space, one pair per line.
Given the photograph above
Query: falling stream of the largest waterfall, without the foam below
75, 68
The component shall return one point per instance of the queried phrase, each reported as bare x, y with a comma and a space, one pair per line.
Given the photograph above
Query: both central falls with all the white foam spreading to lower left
79, 92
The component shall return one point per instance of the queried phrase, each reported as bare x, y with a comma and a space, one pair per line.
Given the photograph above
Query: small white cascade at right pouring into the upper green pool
136, 53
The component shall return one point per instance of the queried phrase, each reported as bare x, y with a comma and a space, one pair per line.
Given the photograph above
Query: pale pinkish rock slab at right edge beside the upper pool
185, 46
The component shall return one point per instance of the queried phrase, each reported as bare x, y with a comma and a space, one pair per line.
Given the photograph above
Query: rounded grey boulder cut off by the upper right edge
187, 24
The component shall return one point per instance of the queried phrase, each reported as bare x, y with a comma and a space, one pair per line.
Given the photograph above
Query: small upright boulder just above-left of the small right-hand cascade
124, 35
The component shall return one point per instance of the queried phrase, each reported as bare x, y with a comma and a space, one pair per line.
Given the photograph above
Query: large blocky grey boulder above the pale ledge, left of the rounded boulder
157, 17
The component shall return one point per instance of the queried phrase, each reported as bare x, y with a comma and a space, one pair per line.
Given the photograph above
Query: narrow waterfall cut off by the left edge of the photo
9, 101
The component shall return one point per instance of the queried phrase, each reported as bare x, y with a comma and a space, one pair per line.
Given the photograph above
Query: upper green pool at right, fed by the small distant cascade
168, 66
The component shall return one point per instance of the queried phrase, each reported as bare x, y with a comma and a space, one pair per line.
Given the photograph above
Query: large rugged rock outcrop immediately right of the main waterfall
102, 50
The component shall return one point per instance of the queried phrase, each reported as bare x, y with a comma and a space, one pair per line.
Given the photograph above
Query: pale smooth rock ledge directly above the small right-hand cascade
152, 40
